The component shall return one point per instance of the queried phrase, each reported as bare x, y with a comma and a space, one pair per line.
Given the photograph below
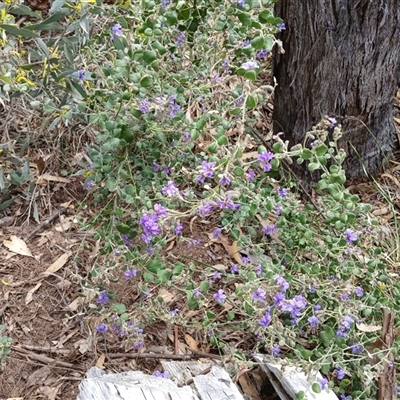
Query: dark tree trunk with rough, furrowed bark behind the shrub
342, 59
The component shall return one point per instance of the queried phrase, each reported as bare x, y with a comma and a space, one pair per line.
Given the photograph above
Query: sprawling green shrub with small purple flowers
173, 91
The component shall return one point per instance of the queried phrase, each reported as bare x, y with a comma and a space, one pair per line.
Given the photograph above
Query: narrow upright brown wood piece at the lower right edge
387, 379
